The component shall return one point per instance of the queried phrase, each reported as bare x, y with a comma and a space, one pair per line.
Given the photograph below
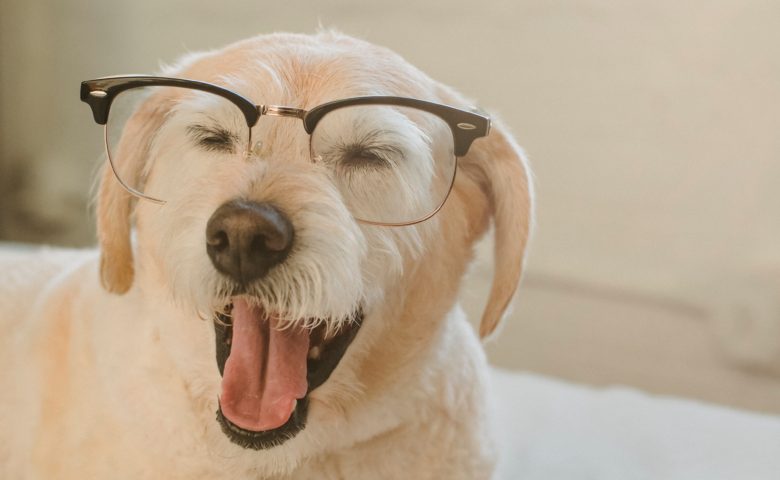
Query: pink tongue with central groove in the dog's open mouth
265, 372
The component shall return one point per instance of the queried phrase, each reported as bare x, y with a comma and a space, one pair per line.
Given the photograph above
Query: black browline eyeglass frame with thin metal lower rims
466, 126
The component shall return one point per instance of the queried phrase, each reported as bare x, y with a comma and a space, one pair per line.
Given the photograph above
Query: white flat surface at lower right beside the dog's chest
552, 430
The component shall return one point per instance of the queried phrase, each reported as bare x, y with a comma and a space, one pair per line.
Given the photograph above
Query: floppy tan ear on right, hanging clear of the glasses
501, 170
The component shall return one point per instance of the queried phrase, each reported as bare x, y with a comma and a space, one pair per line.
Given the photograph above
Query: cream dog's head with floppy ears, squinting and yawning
323, 290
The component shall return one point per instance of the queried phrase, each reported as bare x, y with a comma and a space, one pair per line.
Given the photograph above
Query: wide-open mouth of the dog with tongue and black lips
268, 371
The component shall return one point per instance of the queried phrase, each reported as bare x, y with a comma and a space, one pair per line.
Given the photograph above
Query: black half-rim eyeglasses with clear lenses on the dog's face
393, 159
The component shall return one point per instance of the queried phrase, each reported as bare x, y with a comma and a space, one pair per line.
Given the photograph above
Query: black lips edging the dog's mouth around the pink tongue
318, 372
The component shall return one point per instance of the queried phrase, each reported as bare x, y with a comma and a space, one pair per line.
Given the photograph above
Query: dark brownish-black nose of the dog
246, 239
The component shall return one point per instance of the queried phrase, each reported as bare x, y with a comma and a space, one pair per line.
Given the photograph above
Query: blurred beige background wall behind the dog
652, 129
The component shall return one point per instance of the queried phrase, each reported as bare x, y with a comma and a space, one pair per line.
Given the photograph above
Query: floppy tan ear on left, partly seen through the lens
115, 204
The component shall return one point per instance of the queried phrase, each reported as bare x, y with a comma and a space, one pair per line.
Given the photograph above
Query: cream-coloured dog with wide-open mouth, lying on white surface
109, 357
